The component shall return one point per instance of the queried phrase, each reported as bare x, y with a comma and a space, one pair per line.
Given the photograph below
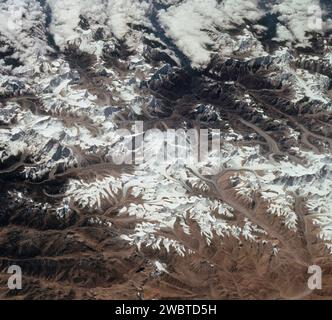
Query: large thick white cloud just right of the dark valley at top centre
187, 23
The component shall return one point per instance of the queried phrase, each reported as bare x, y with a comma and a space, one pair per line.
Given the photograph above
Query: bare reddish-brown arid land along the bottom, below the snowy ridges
77, 260
